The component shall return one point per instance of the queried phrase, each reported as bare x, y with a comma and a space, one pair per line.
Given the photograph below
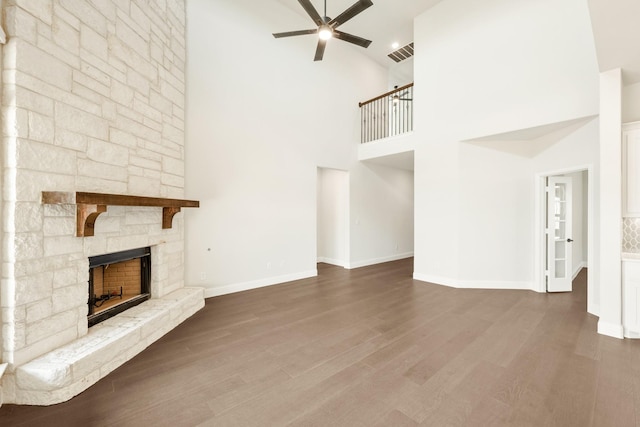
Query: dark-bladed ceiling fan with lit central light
327, 26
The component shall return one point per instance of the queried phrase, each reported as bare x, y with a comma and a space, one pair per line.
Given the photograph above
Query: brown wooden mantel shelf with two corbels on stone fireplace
90, 205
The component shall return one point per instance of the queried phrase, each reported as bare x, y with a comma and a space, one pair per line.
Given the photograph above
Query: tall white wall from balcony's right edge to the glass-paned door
482, 69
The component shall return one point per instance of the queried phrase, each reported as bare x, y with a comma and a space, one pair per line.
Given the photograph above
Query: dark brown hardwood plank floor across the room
369, 347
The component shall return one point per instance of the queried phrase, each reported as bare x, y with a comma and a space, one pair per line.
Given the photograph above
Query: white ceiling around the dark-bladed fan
385, 22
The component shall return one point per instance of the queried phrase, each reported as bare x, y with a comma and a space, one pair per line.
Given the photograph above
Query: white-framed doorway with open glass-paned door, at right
581, 253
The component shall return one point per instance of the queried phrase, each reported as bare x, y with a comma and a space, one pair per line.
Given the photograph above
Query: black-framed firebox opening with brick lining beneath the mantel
117, 282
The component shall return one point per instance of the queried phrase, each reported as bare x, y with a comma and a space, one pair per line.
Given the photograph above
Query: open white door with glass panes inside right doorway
559, 254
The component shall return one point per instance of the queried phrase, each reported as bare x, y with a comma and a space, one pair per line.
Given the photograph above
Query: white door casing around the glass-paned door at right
540, 232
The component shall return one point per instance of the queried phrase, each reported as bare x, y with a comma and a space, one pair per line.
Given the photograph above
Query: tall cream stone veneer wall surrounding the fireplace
92, 100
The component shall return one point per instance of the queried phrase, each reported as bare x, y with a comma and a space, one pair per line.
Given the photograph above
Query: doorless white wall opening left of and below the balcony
333, 217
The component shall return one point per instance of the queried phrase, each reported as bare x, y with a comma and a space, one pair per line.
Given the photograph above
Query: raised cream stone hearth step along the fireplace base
67, 371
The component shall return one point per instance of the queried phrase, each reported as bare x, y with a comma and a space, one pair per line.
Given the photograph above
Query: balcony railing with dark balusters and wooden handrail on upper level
389, 114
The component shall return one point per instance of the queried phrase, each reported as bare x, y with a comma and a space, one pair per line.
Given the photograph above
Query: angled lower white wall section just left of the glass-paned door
496, 216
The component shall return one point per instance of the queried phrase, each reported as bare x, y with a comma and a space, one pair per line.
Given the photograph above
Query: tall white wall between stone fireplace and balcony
262, 116
